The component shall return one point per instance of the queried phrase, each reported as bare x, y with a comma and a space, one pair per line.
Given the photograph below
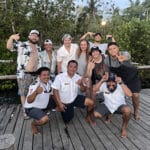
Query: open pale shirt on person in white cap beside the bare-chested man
45, 61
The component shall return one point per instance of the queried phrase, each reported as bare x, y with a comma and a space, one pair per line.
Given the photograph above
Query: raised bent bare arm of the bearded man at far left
14, 37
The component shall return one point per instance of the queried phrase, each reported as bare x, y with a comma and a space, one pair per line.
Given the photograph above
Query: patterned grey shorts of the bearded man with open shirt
24, 84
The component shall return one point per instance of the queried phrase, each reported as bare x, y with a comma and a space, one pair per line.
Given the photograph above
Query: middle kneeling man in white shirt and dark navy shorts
65, 88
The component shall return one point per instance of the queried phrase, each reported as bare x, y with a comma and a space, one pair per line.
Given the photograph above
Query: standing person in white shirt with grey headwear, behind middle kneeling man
66, 53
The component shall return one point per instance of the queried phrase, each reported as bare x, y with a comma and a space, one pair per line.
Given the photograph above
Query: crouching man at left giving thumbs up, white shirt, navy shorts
38, 99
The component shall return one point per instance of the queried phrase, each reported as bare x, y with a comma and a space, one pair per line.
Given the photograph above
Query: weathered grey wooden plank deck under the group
78, 135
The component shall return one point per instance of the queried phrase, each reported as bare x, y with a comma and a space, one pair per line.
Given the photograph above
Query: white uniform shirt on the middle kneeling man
67, 87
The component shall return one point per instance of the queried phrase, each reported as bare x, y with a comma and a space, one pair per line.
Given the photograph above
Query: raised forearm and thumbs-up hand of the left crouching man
32, 97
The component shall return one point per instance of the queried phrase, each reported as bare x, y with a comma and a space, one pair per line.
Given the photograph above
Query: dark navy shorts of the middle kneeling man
69, 112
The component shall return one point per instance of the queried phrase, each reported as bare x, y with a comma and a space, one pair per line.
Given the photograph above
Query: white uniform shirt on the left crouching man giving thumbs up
42, 99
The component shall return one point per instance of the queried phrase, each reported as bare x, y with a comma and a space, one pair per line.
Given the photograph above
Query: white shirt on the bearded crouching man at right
113, 100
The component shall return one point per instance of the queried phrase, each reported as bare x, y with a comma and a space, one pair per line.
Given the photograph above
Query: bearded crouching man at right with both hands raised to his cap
114, 91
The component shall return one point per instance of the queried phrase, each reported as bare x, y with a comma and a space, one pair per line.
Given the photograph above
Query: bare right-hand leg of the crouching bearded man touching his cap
126, 116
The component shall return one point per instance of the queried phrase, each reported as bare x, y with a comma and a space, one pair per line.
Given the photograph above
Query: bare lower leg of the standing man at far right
136, 101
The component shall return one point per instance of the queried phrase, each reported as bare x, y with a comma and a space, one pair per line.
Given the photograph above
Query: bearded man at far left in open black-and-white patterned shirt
27, 60
